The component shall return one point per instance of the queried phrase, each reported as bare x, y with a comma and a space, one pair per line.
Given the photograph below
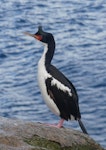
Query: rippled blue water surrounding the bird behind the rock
79, 28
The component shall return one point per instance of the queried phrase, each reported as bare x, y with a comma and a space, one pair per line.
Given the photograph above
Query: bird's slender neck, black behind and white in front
48, 53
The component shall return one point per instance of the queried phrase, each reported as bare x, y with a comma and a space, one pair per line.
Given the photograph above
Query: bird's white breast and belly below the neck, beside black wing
42, 76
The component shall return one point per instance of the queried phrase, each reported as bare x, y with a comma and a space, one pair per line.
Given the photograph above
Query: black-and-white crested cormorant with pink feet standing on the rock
57, 90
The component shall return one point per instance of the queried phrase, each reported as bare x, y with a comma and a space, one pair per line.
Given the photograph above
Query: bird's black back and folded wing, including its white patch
63, 93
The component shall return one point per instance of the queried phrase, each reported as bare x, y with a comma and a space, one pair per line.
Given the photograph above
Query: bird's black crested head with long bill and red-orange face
42, 36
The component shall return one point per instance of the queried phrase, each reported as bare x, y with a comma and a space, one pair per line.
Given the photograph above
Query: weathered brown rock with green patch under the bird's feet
21, 135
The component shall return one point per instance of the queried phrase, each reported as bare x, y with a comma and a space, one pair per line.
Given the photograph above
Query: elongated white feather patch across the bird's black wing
61, 86
